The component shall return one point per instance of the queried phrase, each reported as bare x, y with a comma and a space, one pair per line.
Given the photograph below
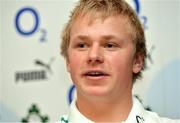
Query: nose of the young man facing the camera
95, 54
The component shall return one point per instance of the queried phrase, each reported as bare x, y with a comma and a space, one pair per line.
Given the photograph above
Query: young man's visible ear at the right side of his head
137, 63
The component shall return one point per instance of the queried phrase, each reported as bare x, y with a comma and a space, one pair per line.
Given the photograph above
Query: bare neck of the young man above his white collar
106, 110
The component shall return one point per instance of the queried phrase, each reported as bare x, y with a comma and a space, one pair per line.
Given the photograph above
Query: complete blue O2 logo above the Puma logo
29, 31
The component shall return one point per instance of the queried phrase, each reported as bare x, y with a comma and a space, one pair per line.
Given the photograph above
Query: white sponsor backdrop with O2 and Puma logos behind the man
34, 83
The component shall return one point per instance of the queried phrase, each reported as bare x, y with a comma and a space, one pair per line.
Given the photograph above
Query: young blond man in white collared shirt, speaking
104, 47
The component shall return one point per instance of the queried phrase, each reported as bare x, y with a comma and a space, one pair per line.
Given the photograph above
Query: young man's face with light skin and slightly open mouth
101, 57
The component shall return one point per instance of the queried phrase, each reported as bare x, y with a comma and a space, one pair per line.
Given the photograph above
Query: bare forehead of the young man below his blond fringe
112, 24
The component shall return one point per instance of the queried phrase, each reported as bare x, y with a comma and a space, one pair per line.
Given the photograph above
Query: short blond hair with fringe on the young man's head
103, 9
